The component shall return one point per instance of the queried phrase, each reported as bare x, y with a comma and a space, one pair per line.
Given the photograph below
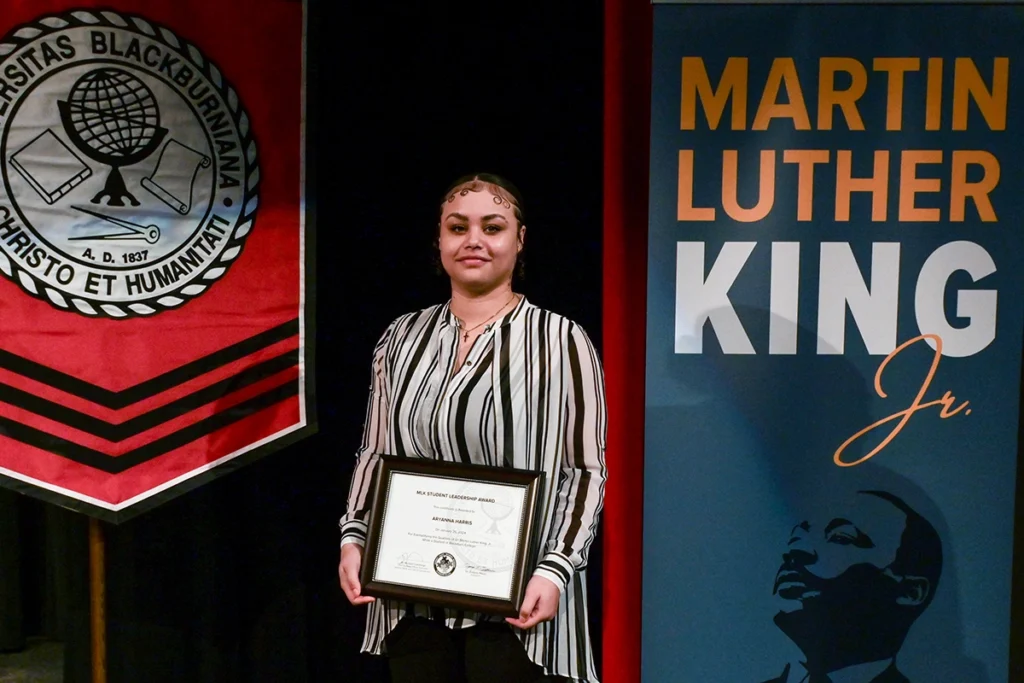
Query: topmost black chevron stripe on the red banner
119, 400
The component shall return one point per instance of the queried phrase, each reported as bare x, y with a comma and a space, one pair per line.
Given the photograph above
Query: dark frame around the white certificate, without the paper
525, 558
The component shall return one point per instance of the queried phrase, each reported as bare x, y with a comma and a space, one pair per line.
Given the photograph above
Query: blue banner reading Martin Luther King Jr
834, 344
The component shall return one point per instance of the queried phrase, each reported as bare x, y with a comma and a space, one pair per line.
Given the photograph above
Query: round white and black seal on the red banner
130, 169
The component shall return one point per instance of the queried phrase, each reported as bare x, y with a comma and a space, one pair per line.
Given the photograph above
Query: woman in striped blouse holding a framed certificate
488, 378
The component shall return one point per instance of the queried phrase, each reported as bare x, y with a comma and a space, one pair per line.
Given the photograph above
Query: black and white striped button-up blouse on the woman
530, 396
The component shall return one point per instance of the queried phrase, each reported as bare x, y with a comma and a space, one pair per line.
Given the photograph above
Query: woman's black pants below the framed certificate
420, 651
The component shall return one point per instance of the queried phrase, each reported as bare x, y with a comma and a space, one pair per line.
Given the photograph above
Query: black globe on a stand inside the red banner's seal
112, 117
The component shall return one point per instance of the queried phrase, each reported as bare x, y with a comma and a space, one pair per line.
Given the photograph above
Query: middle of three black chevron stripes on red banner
158, 416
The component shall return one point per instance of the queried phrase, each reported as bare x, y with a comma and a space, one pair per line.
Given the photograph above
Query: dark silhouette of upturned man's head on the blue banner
854, 580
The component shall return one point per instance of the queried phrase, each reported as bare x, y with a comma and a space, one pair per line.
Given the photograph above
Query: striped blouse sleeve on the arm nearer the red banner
354, 524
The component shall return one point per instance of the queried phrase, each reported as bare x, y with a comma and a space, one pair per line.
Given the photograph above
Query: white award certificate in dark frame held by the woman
452, 535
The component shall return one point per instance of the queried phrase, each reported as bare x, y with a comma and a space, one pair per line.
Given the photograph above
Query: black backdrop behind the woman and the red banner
237, 581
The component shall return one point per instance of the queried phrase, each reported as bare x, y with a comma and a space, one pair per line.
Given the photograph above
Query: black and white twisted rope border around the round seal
26, 33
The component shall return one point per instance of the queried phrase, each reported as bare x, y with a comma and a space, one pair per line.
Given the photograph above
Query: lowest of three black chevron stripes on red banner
119, 464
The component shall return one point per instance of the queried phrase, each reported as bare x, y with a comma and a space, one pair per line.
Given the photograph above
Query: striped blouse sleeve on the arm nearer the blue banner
581, 482
